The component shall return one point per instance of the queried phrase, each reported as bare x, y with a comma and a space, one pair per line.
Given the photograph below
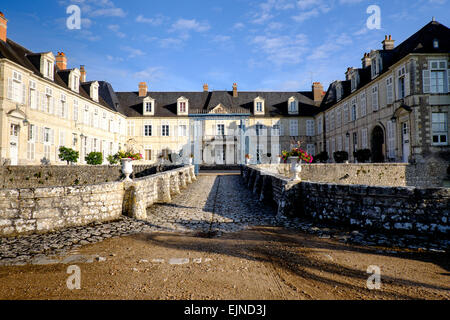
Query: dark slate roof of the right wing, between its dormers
419, 42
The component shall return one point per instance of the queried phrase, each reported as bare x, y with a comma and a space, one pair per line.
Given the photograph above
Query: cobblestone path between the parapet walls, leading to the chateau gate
213, 204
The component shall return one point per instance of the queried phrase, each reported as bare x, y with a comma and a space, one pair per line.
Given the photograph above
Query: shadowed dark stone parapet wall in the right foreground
421, 211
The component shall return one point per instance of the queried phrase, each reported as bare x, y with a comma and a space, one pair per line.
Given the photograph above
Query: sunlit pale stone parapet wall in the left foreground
39, 210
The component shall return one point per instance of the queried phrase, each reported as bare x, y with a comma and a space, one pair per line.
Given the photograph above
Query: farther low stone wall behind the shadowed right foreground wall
431, 174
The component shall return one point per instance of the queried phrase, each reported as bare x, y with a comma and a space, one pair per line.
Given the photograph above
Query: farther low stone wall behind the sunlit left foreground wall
44, 176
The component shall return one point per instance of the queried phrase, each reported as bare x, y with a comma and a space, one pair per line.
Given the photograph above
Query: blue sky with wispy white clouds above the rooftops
179, 45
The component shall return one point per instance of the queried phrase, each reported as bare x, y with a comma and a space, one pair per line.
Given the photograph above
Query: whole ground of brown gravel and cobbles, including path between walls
217, 241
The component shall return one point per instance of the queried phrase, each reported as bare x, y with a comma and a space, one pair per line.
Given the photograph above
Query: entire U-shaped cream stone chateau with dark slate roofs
396, 104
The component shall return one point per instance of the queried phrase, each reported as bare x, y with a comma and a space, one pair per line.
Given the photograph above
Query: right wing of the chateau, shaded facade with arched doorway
397, 104
